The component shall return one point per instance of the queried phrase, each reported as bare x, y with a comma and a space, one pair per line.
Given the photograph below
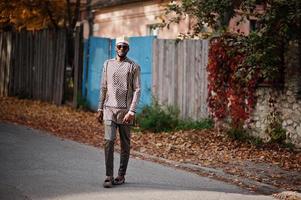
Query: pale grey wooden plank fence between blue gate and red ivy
180, 76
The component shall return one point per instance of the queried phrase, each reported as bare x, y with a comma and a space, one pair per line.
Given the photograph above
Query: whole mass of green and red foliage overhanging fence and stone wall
238, 62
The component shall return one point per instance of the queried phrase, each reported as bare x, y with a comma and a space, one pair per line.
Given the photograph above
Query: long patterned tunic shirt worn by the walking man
120, 89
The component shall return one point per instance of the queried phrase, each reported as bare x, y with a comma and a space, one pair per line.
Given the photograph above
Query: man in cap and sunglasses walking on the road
120, 93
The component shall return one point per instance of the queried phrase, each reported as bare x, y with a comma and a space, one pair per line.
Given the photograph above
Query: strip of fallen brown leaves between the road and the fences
268, 163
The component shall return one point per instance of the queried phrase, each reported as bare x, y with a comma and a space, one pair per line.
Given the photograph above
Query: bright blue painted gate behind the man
102, 49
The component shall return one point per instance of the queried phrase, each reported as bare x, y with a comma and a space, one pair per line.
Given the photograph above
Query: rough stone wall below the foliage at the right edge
286, 102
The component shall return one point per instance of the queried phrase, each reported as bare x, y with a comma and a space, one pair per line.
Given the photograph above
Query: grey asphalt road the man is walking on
36, 165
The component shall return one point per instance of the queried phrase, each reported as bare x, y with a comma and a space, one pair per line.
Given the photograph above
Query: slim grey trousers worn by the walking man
125, 141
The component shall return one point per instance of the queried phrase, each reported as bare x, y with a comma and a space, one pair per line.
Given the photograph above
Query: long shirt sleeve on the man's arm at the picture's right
136, 83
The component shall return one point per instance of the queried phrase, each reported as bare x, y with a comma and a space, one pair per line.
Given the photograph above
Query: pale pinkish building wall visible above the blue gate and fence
134, 20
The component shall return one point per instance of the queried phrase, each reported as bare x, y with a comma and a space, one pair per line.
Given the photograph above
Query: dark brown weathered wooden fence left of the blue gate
33, 64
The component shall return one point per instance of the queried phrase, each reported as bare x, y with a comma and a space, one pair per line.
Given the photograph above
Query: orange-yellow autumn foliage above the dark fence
34, 14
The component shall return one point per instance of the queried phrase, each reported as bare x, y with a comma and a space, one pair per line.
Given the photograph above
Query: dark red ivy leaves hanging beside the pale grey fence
231, 91
